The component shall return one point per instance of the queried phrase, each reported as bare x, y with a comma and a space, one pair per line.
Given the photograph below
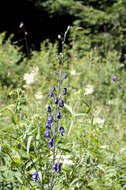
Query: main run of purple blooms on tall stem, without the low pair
53, 119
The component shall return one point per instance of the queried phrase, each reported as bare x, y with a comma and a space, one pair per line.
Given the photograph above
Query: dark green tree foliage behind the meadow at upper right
101, 23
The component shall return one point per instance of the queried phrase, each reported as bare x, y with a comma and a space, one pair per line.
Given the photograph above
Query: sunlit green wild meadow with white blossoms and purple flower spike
62, 117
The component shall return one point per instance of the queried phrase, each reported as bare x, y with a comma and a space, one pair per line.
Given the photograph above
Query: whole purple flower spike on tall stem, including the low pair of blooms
53, 129
